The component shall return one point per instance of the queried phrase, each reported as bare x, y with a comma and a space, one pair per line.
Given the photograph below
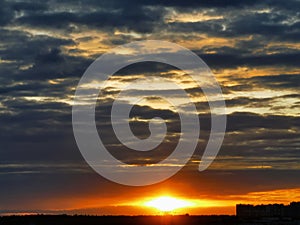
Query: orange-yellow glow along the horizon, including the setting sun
161, 202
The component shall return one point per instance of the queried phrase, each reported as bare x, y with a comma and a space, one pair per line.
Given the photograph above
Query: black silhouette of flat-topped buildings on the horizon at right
272, 210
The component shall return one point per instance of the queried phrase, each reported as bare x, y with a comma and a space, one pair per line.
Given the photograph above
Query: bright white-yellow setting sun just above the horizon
168, 204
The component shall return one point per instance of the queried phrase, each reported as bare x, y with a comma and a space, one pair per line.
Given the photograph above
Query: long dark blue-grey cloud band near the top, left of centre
138, 18
